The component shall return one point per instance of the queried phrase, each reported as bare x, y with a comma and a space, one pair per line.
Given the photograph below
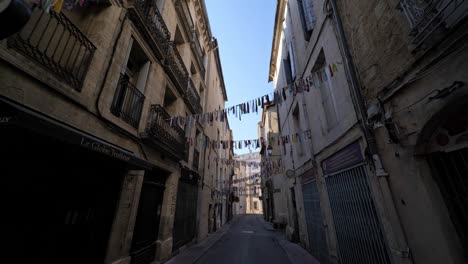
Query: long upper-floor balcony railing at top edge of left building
154, 23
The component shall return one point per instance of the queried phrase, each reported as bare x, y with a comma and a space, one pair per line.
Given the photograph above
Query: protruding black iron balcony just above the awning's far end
164, 136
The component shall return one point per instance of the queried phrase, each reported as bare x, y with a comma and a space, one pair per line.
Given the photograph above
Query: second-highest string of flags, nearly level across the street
206, 143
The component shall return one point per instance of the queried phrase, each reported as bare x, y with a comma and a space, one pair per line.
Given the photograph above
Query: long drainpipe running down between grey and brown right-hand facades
397, 240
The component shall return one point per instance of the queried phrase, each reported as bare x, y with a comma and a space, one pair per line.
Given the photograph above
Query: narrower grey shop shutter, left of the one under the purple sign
315, 230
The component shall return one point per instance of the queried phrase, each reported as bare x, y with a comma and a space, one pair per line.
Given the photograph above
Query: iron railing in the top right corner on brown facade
426, 16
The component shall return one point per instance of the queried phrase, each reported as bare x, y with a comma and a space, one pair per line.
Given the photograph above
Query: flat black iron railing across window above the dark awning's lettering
128, 102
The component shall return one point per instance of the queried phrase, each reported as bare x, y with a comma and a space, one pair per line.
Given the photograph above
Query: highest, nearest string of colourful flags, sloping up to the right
315, 79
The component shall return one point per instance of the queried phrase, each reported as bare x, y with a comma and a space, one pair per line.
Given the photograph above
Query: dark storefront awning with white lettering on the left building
16, 115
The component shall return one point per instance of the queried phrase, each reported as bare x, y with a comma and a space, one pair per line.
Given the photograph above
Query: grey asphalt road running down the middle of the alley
246, 242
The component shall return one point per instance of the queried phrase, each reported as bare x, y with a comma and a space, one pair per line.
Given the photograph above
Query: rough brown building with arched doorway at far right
411, 63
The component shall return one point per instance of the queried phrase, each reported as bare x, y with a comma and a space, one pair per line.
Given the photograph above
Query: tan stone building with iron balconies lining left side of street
87, 96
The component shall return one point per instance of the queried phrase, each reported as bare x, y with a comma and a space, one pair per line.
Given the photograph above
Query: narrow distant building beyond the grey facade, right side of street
273, 187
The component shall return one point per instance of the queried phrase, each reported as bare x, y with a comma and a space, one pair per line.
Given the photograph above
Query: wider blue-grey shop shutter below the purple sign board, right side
358, 229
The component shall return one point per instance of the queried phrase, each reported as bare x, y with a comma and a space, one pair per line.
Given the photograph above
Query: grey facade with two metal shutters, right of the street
333, 179
